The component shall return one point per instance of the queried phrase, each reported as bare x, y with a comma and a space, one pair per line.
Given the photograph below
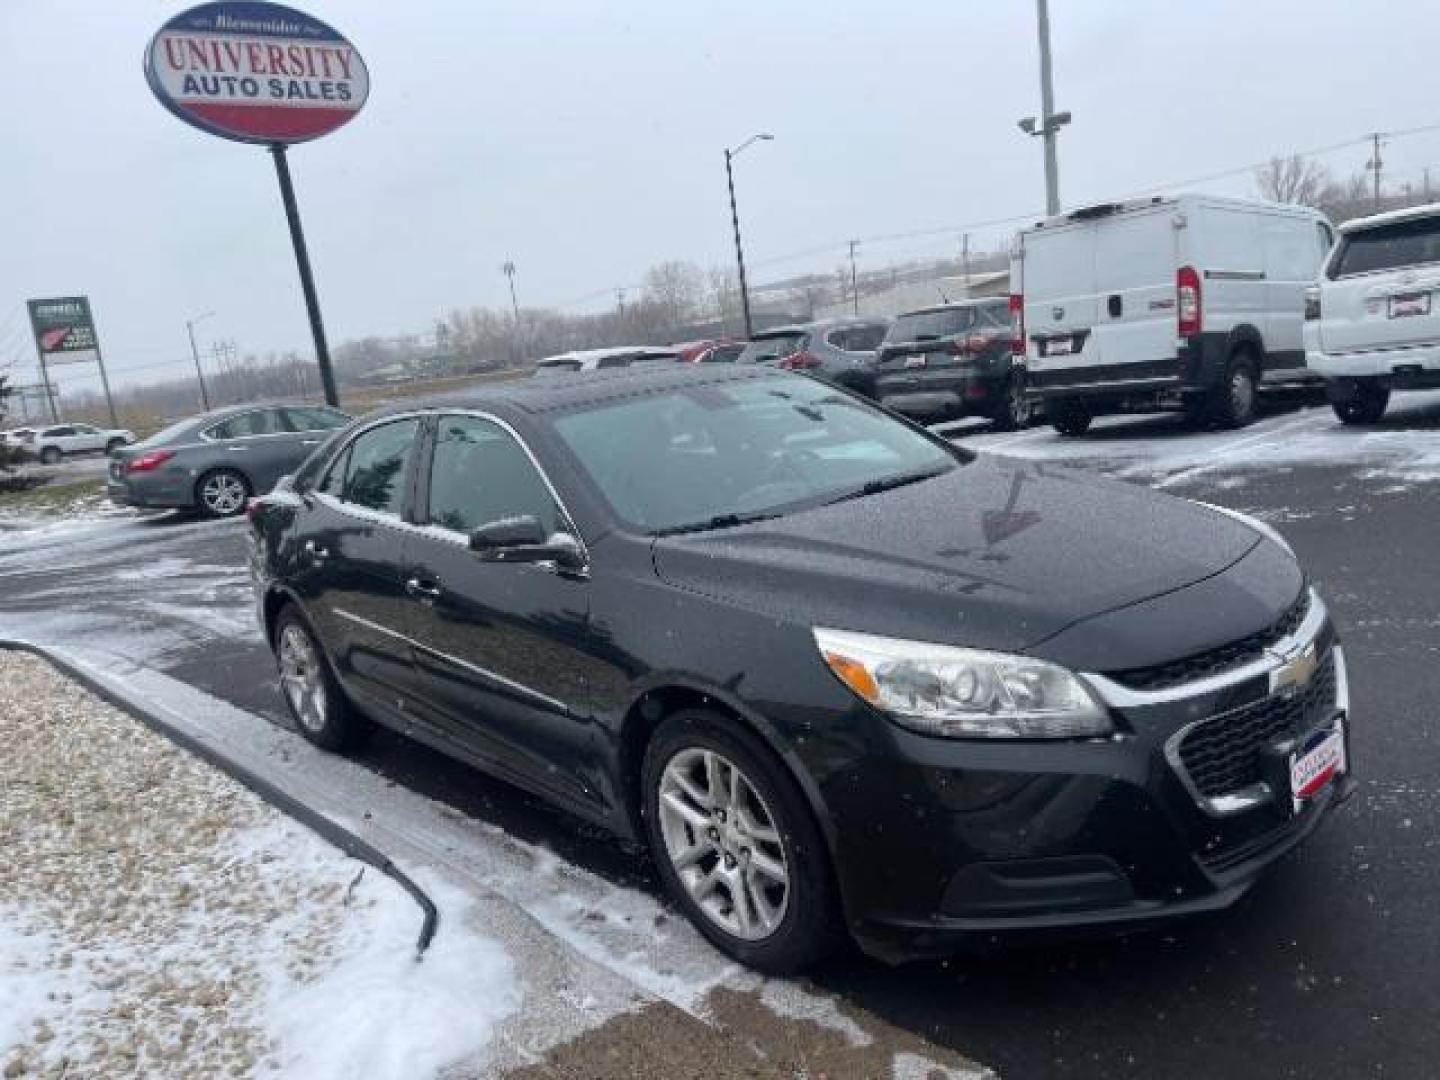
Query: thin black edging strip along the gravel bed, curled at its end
336, 834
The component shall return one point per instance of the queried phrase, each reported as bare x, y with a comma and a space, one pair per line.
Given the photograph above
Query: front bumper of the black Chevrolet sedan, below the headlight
945, 845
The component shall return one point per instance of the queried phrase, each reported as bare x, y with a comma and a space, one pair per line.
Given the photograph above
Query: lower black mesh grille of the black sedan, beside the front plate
1223, 754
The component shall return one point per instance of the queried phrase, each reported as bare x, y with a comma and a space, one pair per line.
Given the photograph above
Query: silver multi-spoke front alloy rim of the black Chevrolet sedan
724, 846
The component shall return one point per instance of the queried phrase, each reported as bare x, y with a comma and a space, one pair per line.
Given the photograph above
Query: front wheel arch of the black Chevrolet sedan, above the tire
663, 696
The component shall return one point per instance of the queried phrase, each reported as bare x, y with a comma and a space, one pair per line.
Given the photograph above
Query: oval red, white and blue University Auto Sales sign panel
257, 73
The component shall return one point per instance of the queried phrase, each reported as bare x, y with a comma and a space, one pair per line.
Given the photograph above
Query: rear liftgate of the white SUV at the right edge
1383, 289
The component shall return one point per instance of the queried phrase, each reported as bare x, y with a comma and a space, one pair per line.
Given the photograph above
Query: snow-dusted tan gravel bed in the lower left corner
150, 908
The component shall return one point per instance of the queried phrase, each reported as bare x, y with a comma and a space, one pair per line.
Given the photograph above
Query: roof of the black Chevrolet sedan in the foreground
588, 388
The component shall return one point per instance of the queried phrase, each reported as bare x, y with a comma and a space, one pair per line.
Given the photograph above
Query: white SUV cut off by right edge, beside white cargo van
1373, 320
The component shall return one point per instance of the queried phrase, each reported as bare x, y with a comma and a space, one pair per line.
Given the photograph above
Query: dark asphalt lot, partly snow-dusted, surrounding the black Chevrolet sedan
1331, 967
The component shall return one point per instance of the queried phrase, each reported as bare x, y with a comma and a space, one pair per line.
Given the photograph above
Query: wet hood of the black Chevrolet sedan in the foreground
997, 554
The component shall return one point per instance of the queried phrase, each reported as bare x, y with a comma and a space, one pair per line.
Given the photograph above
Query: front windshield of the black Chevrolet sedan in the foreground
718, 454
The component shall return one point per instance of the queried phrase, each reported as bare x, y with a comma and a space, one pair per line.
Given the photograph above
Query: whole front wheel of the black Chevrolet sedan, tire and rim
737, 843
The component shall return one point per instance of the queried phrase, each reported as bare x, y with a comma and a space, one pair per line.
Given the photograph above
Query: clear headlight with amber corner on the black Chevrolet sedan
963, 693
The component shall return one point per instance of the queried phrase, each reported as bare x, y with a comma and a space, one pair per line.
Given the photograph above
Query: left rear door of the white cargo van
1058, 279
